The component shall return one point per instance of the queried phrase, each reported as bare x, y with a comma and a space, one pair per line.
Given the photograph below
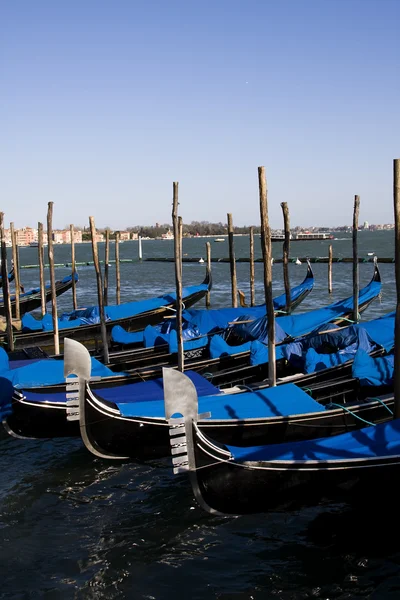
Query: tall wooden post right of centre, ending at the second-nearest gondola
267, 256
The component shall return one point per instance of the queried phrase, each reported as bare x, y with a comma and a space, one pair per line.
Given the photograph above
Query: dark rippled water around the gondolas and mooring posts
73, 526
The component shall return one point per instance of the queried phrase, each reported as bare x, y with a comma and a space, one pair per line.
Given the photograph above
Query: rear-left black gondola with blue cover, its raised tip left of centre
84, 324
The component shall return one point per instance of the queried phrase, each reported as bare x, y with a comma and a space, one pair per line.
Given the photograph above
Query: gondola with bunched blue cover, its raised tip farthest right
210, 354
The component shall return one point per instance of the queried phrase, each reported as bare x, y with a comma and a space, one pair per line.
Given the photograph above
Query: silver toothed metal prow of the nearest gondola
181, 412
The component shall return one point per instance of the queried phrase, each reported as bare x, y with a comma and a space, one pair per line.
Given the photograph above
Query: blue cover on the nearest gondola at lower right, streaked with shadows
370, 442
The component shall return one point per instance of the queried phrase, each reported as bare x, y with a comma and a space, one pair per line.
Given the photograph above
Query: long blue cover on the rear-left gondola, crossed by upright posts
90, 315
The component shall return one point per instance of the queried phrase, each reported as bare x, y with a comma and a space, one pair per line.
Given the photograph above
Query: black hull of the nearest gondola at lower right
231, 488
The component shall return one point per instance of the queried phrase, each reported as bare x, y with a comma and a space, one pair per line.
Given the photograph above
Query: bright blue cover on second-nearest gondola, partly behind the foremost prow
282, 400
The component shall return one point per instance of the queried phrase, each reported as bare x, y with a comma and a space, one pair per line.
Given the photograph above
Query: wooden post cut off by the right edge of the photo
396, 200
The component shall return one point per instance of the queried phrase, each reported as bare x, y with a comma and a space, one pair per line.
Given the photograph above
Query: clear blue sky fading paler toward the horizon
104, 104
